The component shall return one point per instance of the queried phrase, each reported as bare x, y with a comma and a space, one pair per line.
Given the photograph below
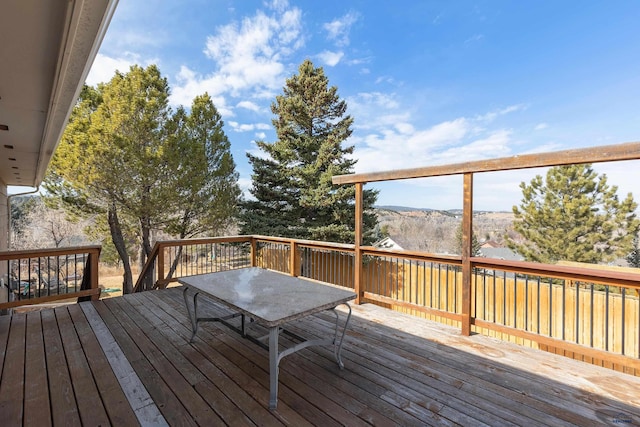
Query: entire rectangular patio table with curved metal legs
269, 299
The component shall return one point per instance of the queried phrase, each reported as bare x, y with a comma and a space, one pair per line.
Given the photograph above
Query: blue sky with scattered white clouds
427, 82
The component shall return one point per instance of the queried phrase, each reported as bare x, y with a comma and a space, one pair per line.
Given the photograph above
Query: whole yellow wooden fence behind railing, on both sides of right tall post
607, 320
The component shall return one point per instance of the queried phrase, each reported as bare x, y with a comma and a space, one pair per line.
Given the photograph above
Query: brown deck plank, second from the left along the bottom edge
37, 407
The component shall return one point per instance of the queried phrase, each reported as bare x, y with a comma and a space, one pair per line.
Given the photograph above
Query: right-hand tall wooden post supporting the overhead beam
467, 243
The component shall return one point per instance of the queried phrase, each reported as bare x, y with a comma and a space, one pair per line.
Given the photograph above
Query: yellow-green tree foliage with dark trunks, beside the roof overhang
125, 155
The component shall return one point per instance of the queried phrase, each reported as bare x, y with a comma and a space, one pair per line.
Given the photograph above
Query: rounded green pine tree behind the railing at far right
573, 215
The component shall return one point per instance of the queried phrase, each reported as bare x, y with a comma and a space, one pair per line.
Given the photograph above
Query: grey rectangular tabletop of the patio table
270, 298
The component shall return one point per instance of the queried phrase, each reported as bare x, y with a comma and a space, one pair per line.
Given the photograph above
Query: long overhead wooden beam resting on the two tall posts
607, 153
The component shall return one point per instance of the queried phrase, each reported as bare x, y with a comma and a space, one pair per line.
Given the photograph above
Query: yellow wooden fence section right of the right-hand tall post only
603, 319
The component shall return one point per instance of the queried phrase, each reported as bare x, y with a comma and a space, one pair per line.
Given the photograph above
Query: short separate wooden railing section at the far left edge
47, 275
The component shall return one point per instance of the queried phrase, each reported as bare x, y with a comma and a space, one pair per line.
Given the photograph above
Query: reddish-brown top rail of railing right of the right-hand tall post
583, 274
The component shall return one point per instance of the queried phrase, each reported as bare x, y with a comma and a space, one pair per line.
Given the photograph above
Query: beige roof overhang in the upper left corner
48, 47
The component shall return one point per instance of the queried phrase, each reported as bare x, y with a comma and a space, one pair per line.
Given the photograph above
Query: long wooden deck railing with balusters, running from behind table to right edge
584, 313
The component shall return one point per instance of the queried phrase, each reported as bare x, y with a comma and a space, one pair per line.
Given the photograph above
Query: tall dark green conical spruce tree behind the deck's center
294, 195
